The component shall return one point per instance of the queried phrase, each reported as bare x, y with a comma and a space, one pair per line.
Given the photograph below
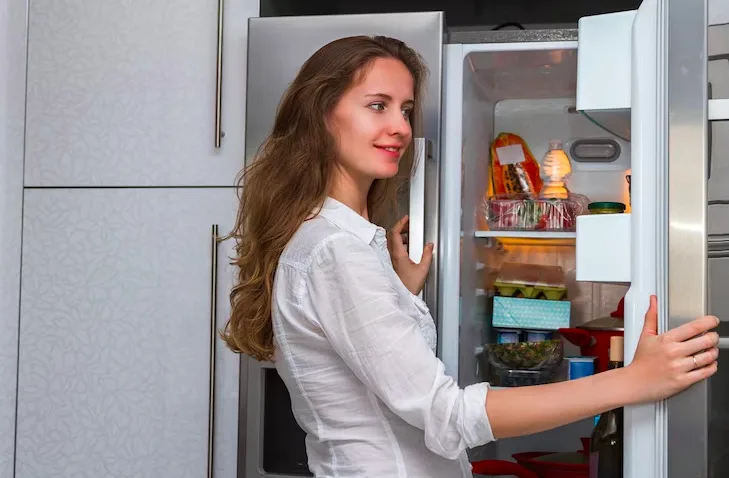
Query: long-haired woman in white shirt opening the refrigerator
320, 294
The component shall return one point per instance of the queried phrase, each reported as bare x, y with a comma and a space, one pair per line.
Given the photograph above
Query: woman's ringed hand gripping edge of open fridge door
668, 363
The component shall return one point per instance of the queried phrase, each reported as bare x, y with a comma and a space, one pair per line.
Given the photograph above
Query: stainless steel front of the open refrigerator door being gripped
682, 59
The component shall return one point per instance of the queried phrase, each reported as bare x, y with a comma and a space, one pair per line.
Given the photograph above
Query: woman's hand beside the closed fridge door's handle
411, 274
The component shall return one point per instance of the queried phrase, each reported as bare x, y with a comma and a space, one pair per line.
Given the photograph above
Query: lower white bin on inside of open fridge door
603, 248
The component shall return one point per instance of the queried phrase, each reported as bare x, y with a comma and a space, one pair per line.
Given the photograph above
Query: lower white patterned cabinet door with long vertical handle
115, 332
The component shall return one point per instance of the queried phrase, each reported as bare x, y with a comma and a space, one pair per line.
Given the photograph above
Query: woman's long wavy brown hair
289, 178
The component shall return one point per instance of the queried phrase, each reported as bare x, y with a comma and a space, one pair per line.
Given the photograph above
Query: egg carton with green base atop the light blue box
530, 281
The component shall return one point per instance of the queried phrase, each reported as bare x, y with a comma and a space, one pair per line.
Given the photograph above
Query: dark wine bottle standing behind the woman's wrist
606, 442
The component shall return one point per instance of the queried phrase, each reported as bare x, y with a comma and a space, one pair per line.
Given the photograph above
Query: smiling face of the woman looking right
372, 122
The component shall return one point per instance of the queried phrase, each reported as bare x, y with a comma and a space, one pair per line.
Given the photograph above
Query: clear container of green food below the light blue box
546, 355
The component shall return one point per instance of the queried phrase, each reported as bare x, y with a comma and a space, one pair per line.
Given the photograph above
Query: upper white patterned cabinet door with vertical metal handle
123, 93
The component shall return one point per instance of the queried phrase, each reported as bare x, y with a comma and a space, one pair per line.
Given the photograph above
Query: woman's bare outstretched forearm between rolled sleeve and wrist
526, 410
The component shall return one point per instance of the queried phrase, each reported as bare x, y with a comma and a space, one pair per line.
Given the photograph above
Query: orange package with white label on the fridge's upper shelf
514, 170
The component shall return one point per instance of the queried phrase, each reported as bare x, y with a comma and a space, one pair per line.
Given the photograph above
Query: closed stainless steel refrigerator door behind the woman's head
277, 47
